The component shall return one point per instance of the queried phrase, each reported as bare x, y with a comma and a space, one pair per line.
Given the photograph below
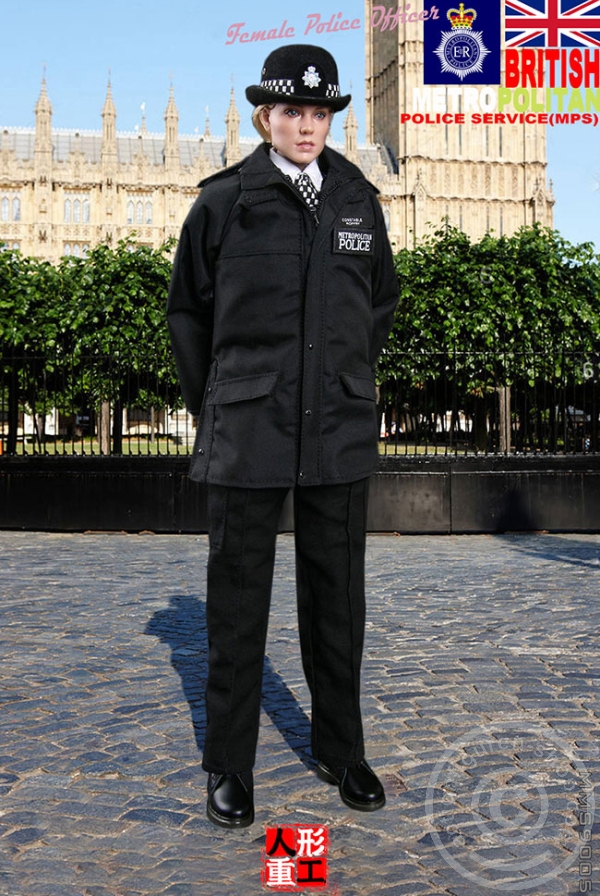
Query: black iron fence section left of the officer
90, 406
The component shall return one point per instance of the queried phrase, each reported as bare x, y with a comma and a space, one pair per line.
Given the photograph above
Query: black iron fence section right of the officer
492, 403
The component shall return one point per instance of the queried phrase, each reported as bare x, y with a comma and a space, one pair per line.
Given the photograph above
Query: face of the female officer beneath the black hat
298, 132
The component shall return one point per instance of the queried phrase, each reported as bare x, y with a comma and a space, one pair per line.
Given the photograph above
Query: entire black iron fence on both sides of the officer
434, 403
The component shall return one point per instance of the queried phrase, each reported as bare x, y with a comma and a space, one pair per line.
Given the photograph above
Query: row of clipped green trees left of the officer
89, 330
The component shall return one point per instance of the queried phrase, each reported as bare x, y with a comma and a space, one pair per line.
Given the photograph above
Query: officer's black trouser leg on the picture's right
330, 526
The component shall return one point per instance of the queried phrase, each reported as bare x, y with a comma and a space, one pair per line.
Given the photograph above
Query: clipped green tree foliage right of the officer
483, 316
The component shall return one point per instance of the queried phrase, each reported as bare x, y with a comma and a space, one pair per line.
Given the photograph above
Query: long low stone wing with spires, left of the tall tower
63, 191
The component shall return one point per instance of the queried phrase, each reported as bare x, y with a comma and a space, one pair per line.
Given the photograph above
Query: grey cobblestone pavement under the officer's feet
481, 682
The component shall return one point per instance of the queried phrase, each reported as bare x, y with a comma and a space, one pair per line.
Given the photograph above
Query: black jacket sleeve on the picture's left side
190, 303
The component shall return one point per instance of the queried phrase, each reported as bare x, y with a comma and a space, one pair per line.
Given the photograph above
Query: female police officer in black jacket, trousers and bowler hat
282, 296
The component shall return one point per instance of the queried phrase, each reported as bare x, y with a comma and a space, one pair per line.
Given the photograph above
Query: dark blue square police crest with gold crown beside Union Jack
457, 52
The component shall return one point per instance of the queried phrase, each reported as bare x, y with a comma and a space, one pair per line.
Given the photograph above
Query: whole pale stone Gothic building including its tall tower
63, 191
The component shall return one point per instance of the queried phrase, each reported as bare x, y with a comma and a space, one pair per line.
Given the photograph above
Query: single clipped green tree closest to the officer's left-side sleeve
114, 324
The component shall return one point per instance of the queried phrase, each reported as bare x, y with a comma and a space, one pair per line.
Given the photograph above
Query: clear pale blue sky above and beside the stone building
146, 46
